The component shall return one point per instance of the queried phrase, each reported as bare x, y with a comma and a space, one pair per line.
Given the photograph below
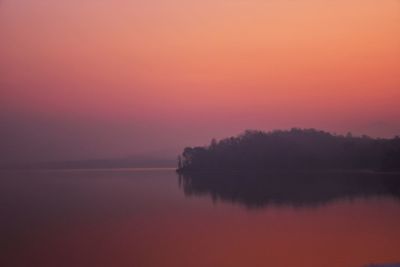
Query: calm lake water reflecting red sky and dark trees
155, 218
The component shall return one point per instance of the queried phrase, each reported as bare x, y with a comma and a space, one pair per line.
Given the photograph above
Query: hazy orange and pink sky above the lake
111, 78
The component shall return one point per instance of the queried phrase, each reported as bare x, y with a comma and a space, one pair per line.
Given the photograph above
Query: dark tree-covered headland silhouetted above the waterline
293, 149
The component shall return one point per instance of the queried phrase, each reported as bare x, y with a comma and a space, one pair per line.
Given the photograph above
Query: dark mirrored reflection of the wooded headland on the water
255, 190
